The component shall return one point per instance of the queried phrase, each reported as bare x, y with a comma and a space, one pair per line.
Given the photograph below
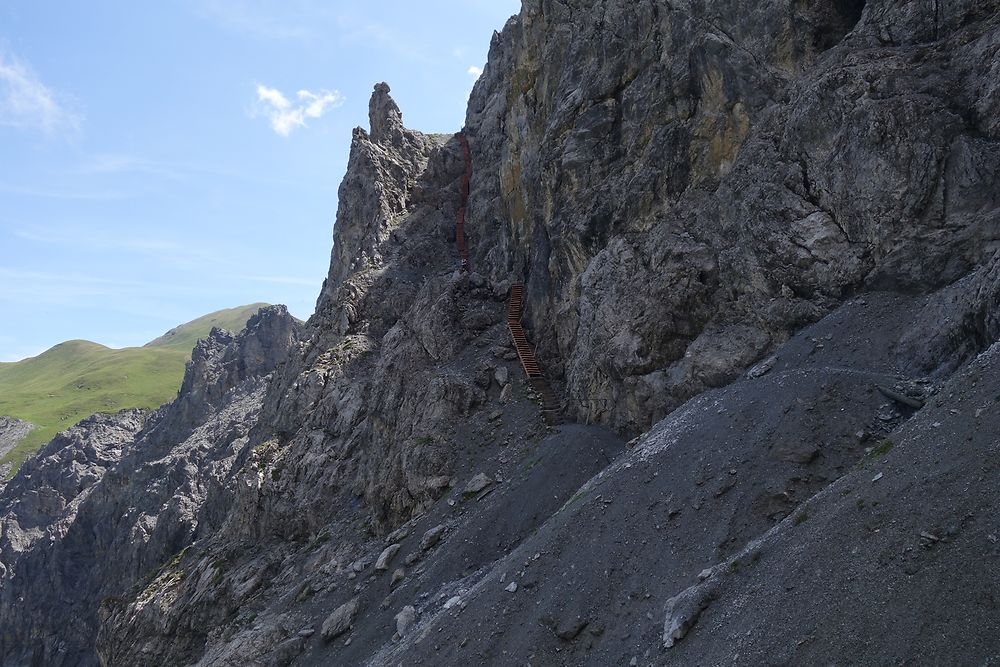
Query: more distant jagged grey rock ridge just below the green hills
116, 484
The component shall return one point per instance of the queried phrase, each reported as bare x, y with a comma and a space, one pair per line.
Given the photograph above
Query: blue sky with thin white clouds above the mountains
163, 160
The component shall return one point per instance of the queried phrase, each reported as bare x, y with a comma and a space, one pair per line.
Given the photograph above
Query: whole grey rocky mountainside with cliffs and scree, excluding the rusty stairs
758, 239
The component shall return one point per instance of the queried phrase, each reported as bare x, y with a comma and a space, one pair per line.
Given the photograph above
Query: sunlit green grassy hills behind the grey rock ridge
77, 378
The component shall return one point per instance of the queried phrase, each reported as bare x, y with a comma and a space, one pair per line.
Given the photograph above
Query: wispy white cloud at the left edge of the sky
27, 103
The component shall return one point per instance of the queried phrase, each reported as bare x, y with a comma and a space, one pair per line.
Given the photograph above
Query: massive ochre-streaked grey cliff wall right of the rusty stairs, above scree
691, 196
